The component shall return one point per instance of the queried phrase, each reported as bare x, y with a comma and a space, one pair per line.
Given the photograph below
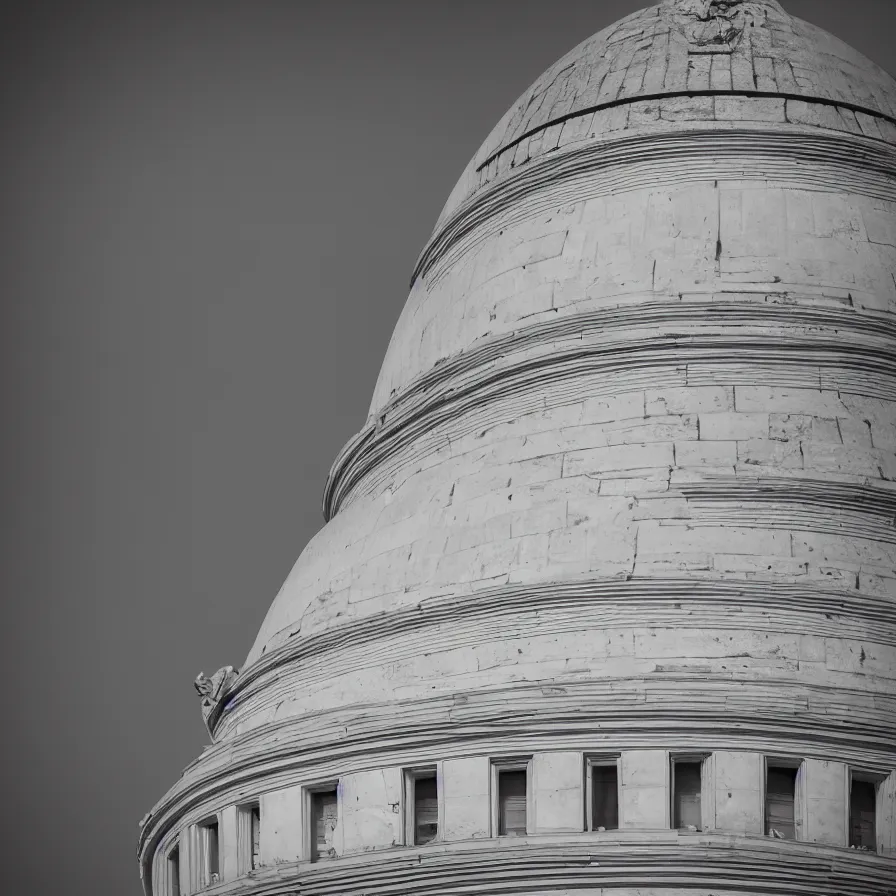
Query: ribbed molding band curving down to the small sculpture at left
824, 612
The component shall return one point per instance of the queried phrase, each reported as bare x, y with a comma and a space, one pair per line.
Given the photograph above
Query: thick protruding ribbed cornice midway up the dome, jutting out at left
798, 338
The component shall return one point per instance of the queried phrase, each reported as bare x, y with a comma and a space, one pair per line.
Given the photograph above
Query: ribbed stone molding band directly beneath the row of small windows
717, 863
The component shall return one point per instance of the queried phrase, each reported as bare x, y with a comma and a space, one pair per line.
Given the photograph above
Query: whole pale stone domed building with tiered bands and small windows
606, 600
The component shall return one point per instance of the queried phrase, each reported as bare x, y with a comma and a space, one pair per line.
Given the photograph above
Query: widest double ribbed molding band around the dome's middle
532, 359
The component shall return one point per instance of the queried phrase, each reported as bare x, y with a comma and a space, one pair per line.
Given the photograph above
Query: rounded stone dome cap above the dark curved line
669, 48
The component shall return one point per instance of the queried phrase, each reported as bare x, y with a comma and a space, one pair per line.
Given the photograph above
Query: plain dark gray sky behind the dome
211, 212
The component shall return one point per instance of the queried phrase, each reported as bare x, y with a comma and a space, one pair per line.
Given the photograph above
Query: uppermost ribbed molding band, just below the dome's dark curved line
829, 161
